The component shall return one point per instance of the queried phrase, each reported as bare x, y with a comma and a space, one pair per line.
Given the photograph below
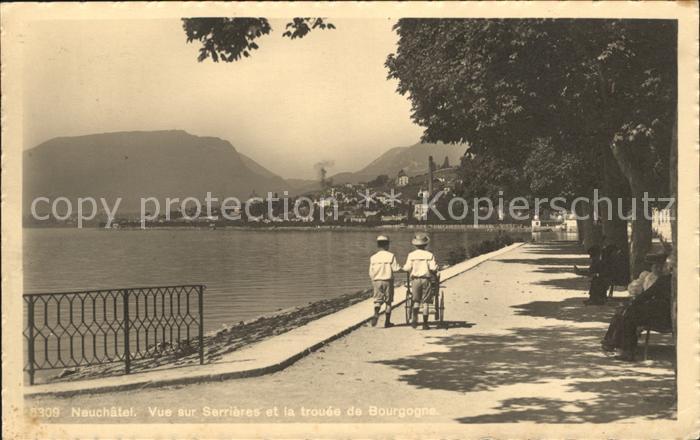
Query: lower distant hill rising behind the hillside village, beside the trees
413, 160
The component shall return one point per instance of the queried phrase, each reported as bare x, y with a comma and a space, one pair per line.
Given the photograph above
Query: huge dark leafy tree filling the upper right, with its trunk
602, 86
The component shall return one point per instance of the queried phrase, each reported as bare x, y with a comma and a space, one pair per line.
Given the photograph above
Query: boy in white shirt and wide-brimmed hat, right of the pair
422, 267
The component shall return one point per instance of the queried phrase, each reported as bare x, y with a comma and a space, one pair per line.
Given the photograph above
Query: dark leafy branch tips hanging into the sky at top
227, 39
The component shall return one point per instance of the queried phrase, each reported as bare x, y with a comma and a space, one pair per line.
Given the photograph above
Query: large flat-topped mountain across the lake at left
139, 164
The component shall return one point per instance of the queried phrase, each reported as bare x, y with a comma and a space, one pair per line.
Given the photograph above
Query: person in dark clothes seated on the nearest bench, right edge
650, 306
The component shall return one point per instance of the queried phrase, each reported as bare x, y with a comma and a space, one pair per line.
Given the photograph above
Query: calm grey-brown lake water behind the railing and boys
247, 273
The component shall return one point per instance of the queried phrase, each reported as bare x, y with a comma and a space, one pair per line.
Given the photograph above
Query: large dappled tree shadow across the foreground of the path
527, 356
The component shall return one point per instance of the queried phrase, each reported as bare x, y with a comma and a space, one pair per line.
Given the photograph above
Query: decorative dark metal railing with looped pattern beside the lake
84, 328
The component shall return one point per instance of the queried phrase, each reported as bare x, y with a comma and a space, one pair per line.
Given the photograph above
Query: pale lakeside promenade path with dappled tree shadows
520, 346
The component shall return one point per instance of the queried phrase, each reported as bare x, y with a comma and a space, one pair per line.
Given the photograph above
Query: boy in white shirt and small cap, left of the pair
382, 266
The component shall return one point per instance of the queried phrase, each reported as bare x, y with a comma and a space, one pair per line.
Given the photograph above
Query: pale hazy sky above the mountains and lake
290, 105
